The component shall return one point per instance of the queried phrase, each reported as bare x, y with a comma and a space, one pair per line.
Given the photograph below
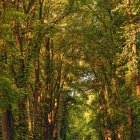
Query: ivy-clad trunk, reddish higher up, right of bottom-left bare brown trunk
20, 83
